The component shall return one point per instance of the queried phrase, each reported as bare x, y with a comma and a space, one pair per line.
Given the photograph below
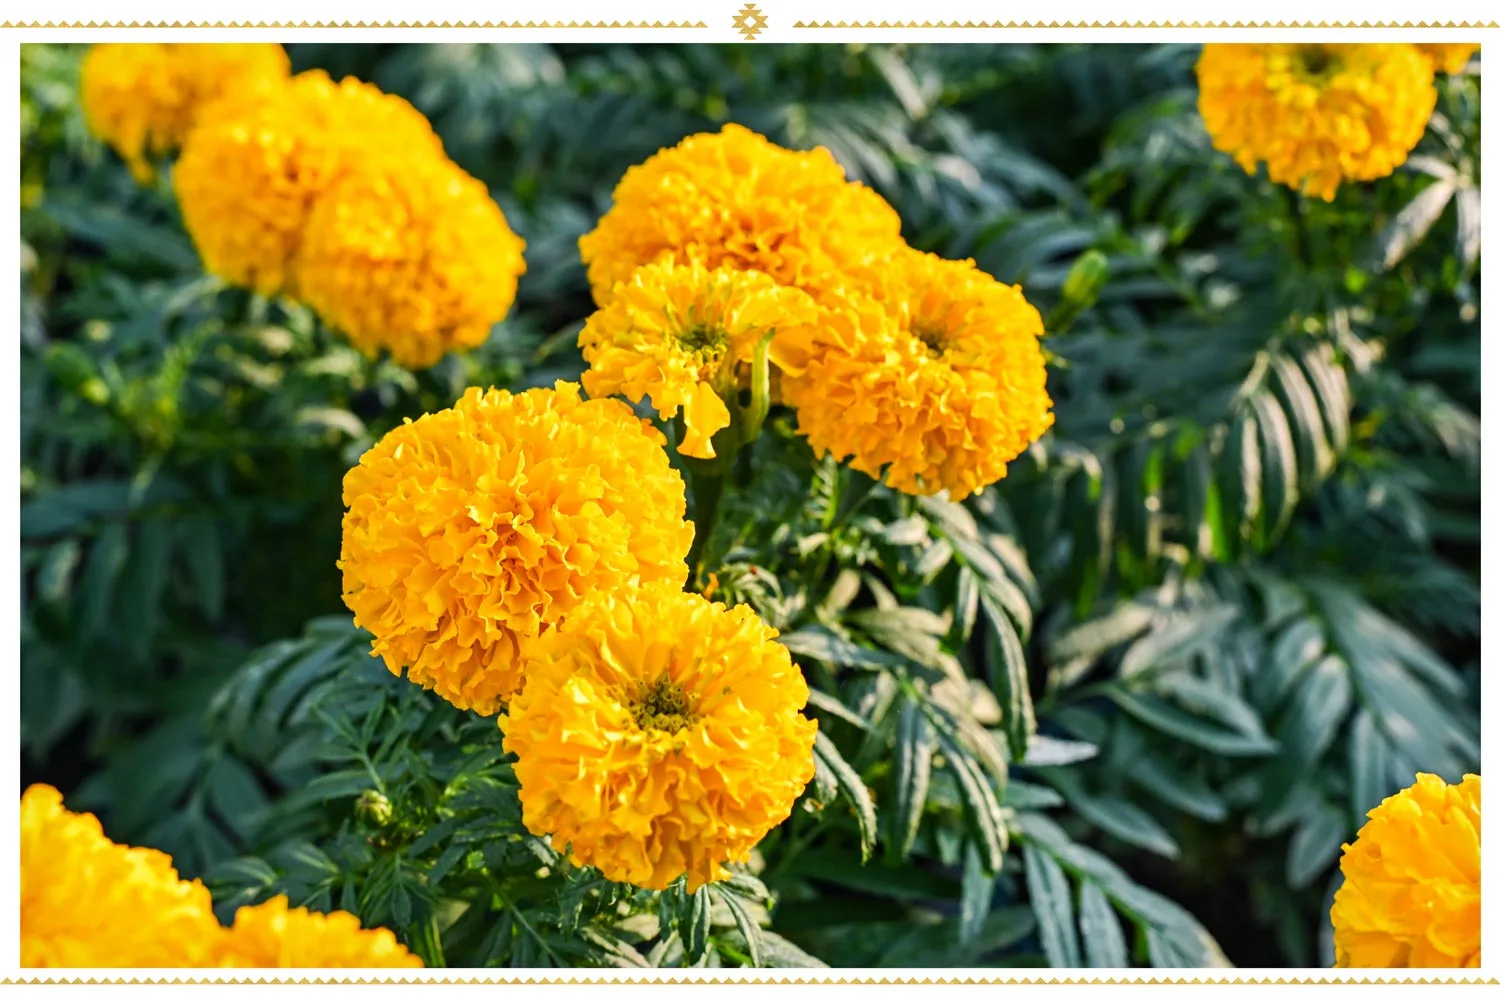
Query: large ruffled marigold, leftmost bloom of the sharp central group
491, 520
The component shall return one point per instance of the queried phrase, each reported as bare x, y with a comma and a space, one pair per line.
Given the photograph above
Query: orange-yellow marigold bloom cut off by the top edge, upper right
1316, 115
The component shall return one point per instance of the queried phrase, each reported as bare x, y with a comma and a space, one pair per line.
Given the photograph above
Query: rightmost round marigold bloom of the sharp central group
934, 376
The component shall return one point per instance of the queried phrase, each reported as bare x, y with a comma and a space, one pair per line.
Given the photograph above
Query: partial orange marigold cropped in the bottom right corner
1411, 894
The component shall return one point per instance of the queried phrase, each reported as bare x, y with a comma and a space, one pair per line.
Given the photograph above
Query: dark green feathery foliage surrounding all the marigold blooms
1126, 703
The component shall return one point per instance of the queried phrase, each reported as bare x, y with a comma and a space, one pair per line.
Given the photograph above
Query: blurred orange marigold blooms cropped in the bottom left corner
88, 903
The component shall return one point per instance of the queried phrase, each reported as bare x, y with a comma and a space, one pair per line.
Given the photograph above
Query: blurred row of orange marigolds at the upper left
332, 194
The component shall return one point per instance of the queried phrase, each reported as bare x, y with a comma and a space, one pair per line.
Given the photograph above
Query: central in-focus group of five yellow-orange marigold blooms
529, 553
